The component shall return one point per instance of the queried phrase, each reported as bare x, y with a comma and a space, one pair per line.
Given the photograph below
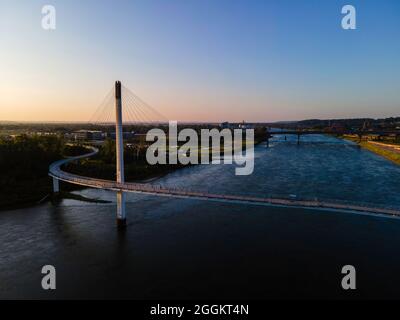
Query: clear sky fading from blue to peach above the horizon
202, 60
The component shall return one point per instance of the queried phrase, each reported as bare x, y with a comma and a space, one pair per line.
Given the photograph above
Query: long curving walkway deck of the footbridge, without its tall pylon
56, 172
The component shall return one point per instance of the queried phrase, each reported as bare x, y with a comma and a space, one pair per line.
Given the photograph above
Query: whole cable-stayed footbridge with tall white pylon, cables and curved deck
140, 112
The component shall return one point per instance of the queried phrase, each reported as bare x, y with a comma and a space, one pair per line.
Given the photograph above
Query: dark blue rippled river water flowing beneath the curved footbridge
179, 248
